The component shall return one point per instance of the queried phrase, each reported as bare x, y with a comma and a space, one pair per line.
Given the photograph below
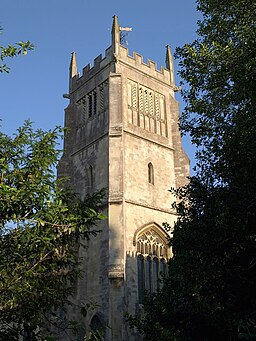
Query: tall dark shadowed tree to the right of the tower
209, 293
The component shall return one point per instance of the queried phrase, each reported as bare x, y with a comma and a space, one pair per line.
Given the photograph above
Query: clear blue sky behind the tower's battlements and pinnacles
36, 83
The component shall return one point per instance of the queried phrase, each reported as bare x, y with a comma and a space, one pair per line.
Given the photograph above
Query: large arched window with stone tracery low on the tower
152, 256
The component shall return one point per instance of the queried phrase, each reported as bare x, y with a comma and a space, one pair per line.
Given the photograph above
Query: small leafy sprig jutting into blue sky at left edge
10, 51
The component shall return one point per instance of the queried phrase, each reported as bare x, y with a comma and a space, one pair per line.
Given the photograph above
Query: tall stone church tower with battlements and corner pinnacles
123, 136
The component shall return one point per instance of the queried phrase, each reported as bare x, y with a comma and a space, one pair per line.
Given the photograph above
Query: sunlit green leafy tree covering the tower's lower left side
42, 225
